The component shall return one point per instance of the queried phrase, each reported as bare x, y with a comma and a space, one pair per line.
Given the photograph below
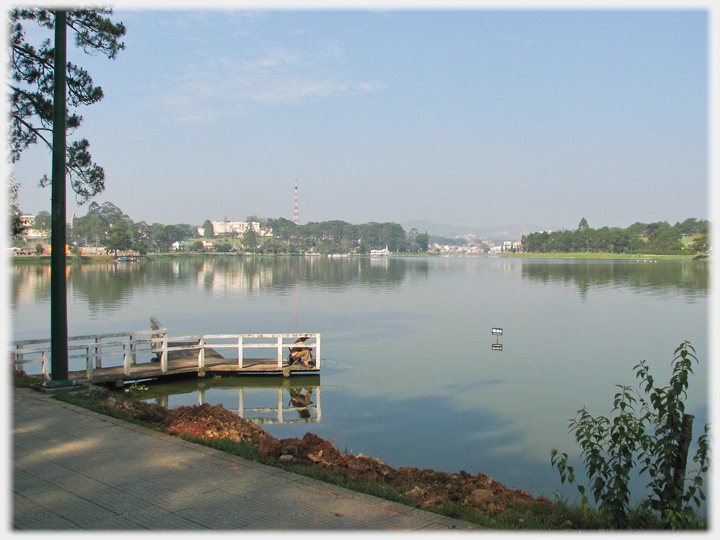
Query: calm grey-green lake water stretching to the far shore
409, 374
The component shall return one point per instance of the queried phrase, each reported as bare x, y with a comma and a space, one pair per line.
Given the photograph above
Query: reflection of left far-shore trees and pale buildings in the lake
105, 286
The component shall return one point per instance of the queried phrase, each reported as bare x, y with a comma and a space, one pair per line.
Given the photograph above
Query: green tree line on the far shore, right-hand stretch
659, 238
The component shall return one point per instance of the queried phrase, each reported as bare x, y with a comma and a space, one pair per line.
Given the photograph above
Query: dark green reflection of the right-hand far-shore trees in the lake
690, 278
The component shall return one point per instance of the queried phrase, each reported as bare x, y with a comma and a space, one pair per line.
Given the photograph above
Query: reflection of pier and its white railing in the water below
280, 399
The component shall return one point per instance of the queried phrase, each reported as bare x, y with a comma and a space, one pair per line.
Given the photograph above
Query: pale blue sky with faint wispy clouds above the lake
473, 116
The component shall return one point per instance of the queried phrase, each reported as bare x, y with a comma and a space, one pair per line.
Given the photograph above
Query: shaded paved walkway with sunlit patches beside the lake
74, 469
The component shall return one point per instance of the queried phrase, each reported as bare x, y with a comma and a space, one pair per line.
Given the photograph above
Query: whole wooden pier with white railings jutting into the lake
152, 354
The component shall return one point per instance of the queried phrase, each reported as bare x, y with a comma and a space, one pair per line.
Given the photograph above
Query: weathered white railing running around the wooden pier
94, 349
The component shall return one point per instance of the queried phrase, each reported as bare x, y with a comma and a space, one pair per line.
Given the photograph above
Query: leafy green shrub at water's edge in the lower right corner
644, 430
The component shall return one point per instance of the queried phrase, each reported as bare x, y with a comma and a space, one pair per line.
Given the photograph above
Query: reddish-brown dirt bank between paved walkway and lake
426, 488
